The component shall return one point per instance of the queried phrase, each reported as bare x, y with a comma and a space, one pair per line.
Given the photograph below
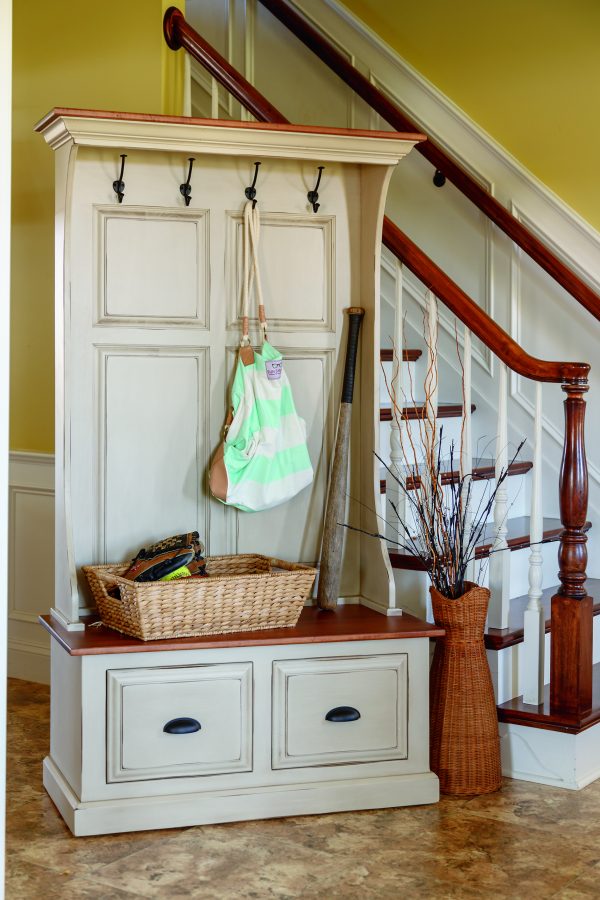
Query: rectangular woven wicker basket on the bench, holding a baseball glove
247, 592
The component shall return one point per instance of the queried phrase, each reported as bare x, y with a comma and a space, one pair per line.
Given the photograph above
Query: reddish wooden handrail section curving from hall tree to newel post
465, 309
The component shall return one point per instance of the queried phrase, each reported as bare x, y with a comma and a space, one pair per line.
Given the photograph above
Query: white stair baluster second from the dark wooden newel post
500, 558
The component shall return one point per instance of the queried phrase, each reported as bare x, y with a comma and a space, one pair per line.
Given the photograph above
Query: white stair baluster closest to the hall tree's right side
394, 494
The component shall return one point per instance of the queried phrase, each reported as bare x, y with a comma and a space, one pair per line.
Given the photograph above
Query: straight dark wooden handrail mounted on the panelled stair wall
460, 178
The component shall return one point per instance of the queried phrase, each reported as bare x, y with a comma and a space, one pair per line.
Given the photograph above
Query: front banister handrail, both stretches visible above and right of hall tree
179, 33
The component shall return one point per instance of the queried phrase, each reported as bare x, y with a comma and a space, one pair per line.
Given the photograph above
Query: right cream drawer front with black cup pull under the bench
368, 695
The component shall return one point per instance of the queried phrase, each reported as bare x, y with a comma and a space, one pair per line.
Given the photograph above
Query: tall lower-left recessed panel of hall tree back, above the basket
154, 415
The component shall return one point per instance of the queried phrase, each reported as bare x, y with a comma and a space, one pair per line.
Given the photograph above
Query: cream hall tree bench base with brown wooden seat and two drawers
277, 711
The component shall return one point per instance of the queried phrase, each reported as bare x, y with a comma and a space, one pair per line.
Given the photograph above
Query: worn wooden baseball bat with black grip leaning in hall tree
333, 533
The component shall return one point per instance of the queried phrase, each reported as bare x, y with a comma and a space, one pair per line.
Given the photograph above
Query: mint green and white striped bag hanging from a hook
263, 460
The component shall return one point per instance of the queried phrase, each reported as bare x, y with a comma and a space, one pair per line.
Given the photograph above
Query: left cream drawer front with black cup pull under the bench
141, 702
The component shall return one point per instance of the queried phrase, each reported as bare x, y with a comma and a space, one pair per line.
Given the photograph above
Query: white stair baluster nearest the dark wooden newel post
535, 624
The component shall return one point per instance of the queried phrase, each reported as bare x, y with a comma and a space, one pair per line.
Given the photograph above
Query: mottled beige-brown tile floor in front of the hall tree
526, 841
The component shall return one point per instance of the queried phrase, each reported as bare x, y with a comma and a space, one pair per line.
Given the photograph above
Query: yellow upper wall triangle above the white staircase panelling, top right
527, 71
